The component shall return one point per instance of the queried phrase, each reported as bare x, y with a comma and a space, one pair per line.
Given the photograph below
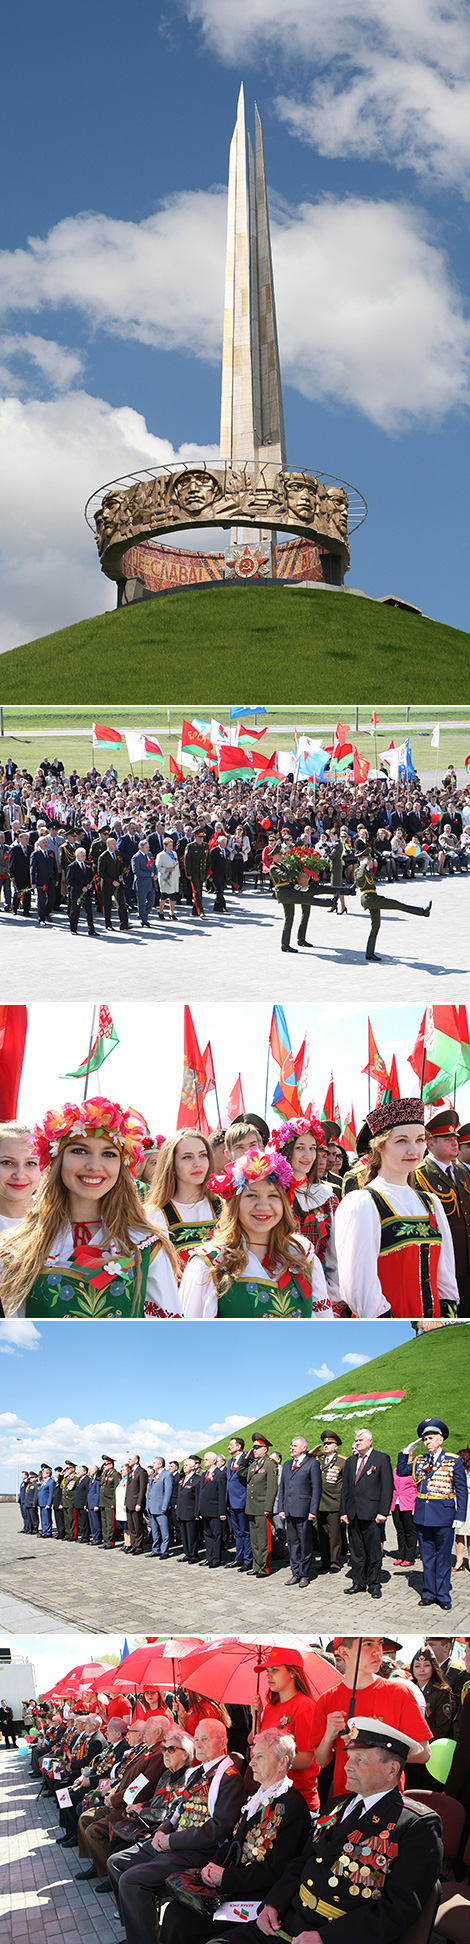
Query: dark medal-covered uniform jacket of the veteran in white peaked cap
407, 1887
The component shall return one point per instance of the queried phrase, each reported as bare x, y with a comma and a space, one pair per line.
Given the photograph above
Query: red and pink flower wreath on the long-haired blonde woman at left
123, 1127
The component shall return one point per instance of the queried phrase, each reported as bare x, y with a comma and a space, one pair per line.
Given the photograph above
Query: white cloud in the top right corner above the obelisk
382, 77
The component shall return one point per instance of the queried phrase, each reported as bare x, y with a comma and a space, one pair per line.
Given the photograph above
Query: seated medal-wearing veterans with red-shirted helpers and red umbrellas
292, 1809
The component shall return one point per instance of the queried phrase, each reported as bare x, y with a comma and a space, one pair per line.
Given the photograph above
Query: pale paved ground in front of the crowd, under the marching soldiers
238, 955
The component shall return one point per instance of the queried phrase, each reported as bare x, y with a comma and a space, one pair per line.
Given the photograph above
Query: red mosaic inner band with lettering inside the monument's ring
152, 571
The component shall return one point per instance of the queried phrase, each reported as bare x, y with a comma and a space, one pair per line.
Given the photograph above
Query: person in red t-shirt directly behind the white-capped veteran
391, 1702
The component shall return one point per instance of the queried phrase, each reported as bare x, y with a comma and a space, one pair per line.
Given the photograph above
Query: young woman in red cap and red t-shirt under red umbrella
290, 1708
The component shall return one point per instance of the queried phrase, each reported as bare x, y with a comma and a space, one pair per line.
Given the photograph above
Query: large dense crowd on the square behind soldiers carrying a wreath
131, 850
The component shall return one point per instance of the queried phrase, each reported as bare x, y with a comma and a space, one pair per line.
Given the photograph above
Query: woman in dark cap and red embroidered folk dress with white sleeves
393, 1239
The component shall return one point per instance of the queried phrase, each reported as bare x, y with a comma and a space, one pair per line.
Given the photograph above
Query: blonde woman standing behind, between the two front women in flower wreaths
180, 1202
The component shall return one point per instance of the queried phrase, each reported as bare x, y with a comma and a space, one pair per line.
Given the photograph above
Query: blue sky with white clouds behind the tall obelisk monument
116, 141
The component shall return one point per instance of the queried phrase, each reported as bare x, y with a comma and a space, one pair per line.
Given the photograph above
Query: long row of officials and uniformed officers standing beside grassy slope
316, 1511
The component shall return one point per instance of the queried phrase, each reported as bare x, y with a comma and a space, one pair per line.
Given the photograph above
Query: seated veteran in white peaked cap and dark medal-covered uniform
374, 1859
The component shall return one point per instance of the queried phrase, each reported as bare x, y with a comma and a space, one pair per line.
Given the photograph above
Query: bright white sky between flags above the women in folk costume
147, 1066
